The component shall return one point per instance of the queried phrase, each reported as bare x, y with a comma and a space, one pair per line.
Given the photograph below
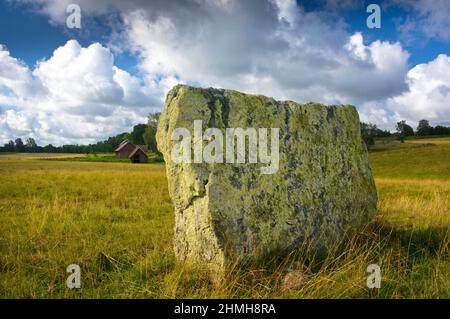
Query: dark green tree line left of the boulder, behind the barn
141, 134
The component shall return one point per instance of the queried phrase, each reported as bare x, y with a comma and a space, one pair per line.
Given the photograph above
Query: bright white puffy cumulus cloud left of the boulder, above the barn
78, 96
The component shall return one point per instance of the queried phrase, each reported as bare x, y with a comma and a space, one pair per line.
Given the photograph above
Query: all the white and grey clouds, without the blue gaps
270, 47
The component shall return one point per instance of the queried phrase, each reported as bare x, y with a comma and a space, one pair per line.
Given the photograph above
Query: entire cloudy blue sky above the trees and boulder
119, 65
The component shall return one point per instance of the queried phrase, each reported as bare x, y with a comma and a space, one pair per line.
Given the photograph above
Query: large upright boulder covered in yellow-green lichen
321, 187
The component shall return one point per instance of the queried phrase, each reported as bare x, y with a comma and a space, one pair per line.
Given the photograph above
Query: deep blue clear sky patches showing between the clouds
30, 37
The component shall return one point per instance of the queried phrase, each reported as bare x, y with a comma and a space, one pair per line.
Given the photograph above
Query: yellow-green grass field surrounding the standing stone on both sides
115, 220
